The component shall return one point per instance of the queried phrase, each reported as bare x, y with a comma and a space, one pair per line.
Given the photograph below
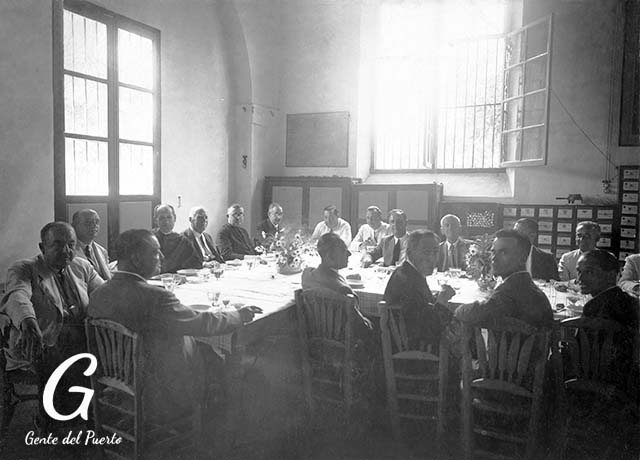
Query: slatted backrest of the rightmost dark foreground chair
591, 345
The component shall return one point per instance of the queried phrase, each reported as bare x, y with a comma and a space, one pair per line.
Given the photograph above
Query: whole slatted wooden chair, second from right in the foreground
502, 399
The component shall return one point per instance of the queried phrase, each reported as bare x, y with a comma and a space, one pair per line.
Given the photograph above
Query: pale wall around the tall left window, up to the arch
197, 93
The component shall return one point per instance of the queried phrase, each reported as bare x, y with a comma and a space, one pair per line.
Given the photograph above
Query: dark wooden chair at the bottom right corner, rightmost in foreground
601, 388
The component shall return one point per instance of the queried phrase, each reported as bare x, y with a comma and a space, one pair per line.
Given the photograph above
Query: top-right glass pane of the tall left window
135, 59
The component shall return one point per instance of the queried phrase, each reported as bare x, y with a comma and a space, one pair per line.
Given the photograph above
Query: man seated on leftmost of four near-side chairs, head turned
334, 255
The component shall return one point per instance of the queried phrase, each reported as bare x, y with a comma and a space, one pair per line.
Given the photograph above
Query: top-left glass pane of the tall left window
85, 45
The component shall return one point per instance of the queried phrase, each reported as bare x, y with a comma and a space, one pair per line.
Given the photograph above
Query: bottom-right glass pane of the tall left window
136, 169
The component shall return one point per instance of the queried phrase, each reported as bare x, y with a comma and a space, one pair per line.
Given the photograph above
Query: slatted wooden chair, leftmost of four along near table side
325, 327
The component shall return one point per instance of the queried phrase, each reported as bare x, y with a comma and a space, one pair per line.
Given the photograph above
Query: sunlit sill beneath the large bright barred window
490, 185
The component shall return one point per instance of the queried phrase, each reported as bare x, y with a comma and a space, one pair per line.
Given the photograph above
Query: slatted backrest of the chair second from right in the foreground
511, 354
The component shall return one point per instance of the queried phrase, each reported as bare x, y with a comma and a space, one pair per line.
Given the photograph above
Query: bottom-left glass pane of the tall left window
86, 168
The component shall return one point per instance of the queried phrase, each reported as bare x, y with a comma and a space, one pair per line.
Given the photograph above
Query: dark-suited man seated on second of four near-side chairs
425, 316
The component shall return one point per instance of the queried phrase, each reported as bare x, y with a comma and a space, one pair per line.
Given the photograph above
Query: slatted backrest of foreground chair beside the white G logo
118, 350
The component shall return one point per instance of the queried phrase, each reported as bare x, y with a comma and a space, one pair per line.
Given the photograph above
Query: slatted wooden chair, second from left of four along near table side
416, 379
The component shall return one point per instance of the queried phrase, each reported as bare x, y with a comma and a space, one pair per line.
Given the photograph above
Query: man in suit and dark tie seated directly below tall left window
86, 224
